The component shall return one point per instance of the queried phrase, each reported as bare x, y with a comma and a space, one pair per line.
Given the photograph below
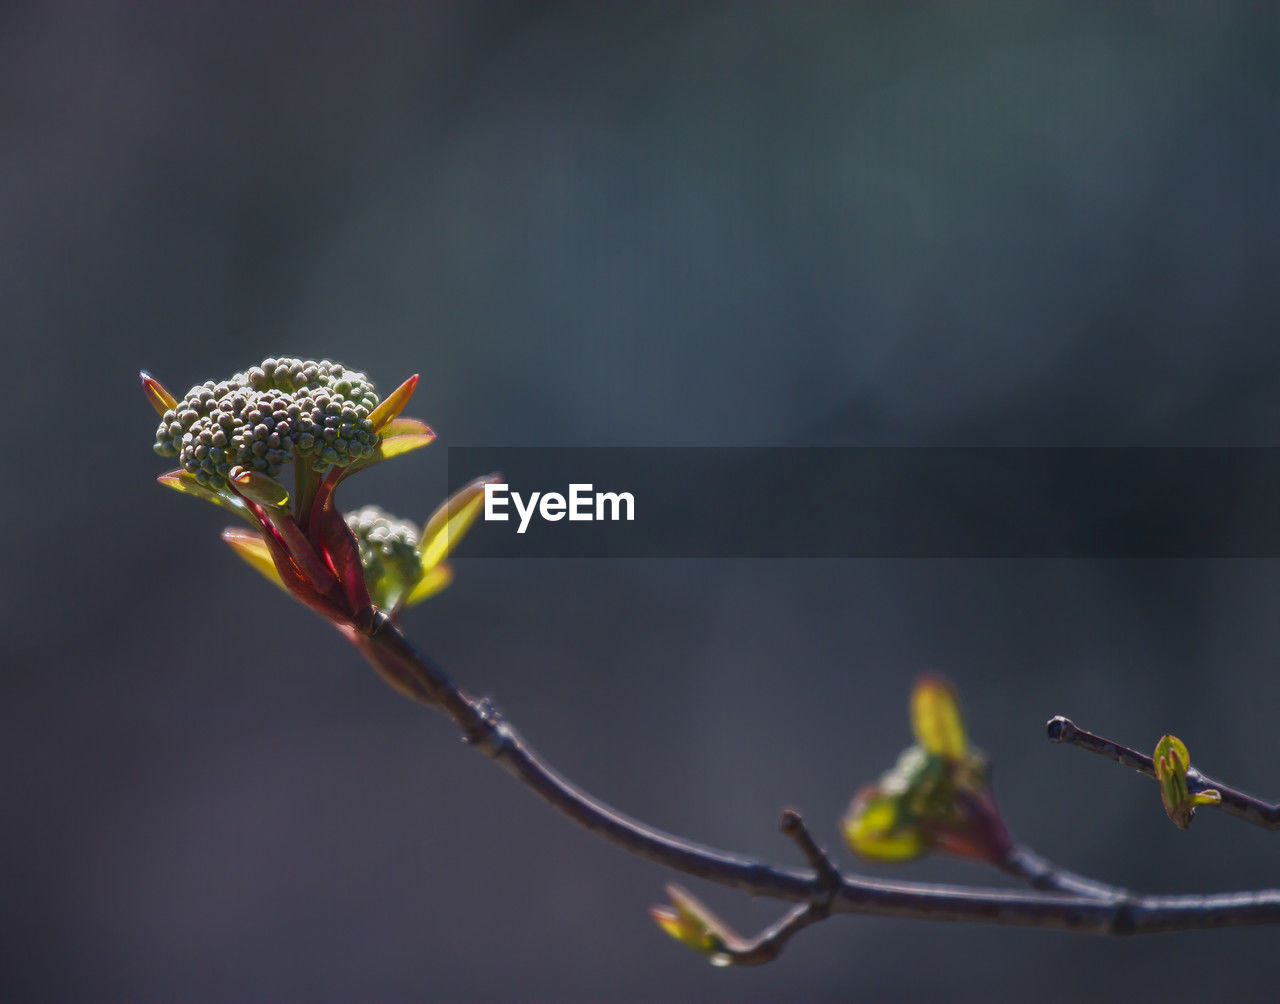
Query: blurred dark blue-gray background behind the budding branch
616, 225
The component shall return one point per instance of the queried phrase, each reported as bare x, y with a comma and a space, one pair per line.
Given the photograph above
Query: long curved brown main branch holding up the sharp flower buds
1085, 906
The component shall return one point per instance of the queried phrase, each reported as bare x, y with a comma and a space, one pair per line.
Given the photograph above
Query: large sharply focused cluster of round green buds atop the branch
280, 412
